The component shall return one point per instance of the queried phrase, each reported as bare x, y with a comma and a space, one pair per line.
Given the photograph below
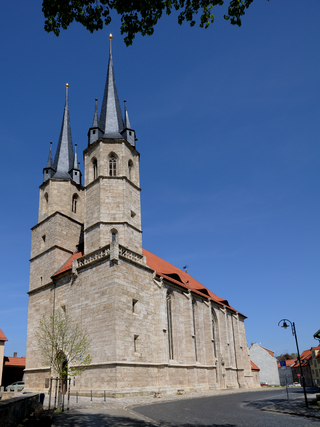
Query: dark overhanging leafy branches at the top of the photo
137, 16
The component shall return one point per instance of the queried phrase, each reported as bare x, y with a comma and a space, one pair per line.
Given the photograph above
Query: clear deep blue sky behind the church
227, 121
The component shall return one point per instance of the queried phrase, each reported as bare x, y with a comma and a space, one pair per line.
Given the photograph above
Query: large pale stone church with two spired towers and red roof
153, 327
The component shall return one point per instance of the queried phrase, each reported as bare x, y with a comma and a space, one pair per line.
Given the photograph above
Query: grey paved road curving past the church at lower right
235, 410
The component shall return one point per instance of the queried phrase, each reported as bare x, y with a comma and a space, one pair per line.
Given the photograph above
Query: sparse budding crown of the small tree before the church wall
64, 344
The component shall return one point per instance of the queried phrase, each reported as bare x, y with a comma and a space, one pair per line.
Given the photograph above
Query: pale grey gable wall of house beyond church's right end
265, 360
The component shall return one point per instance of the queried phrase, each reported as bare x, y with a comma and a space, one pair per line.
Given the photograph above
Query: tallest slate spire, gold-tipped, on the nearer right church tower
111, 122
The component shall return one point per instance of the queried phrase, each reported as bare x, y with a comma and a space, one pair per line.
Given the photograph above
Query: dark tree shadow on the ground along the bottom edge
77, 419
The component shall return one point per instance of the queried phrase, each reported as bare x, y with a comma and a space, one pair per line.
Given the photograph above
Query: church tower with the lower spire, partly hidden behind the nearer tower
58, 232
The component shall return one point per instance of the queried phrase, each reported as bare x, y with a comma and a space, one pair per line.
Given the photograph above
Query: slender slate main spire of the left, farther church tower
63, 161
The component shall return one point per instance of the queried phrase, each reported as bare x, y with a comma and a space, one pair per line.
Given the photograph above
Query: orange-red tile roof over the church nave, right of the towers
176, 275
